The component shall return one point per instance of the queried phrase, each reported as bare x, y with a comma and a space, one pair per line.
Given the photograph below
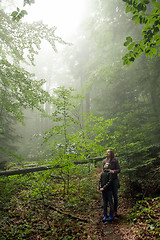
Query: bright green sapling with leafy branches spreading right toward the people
68, 141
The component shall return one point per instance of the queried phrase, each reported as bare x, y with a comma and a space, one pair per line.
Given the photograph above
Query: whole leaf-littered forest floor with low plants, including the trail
32, 214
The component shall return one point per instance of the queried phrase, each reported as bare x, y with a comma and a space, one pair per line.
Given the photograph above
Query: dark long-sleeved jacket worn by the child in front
106, 180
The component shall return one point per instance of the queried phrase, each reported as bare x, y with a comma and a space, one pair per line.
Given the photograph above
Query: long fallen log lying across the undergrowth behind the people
46, 167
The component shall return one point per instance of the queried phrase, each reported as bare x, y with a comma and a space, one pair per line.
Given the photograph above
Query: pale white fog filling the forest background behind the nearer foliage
90, 62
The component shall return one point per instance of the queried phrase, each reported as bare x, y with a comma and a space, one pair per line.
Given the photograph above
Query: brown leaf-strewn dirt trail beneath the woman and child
118, 229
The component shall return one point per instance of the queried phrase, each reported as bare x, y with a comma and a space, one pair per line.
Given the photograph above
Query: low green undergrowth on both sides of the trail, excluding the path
38, 206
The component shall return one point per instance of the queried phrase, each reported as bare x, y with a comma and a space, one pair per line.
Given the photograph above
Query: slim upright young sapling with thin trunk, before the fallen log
64, 123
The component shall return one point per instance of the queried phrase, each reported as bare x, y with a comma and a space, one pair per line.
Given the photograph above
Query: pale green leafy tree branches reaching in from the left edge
19, 88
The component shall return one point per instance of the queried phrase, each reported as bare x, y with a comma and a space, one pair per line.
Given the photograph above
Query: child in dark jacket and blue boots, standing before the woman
105, 186
